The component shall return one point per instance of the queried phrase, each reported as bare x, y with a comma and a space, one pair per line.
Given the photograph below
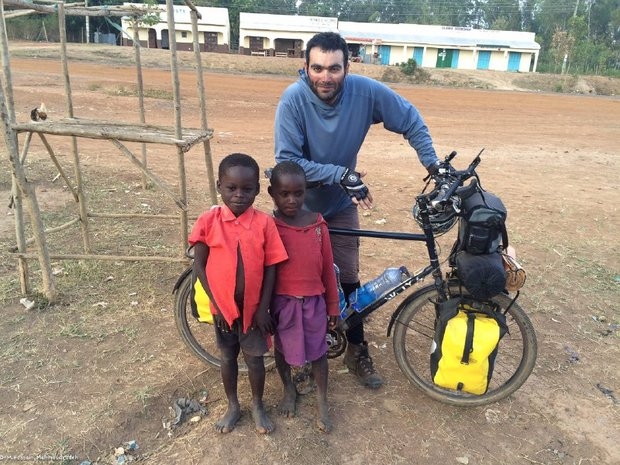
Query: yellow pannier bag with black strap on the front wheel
465, 346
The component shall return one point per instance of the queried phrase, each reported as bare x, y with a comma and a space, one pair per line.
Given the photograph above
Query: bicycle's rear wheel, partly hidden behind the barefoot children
200, 337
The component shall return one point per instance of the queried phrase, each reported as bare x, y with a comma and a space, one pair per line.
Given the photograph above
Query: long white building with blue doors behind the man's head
390, 44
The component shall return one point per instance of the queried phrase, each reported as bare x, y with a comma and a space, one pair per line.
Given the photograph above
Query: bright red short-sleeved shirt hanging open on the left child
255, 233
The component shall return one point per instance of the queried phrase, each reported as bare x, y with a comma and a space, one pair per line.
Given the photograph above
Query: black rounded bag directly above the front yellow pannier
483, 276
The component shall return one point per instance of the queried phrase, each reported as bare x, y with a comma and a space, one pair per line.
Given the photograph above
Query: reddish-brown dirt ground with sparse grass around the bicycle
105, 365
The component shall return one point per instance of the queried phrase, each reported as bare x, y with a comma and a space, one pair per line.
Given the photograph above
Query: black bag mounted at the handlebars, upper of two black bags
482, 224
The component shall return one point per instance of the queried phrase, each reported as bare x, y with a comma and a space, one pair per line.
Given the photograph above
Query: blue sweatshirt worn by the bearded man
325, 139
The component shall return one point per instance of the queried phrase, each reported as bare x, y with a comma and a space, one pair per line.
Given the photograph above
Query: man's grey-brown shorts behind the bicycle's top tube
346, 248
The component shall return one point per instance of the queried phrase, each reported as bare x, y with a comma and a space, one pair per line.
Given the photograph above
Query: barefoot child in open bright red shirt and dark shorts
236, 249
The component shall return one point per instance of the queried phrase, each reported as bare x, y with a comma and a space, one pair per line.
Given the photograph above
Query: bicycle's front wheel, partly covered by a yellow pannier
413, 335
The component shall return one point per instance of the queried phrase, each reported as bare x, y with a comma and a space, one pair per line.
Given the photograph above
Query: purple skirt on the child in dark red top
301, 326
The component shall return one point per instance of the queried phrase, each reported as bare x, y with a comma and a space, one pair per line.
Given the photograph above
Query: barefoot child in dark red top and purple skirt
305, 297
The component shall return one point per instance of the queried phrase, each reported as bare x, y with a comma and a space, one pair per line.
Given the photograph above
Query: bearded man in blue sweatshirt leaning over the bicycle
321, 122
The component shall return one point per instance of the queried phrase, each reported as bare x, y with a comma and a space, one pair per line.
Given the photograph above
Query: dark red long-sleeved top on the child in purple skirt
309, 270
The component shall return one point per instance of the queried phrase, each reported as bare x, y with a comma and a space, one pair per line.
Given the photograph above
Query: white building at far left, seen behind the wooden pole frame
213, 29
